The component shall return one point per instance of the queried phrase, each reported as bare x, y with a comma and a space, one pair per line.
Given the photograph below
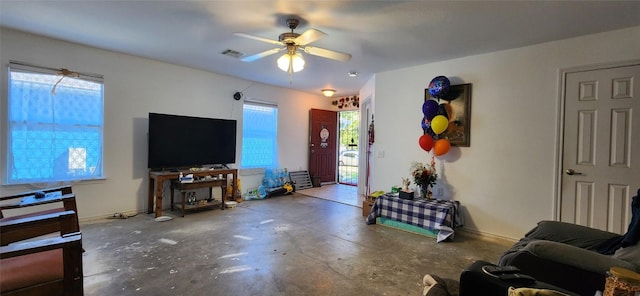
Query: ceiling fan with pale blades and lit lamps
291, 42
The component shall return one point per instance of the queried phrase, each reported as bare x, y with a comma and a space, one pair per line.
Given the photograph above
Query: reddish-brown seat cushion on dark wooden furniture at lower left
27, 270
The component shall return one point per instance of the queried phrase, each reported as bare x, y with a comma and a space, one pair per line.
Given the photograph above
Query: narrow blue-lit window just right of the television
259, 135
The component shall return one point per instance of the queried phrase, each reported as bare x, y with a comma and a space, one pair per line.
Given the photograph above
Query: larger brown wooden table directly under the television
157, 178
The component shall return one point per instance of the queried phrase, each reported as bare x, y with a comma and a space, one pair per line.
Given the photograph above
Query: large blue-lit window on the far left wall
55, 125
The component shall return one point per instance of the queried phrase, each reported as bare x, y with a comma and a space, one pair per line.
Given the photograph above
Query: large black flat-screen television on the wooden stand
177, 141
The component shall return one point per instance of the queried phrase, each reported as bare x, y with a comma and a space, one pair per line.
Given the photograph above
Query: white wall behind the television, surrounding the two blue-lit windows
134, 87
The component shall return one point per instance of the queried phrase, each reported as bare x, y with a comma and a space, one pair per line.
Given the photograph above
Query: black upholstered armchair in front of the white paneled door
566, 255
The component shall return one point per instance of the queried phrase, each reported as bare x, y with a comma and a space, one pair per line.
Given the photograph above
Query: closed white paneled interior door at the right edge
601, 165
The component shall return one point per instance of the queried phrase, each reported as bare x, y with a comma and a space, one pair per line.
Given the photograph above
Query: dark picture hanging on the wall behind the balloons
457, 106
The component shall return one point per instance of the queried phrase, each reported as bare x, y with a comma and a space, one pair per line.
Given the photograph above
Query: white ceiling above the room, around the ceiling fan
380, 35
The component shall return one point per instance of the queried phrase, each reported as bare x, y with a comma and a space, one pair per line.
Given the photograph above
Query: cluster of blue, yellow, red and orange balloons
435, 120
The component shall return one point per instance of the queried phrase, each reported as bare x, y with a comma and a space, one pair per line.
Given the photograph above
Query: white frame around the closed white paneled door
562, 74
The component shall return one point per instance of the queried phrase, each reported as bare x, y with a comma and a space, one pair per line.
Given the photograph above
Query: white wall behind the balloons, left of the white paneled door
506, 179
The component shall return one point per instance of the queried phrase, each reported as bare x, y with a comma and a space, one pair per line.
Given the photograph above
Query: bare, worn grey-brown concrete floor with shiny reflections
287, 245
